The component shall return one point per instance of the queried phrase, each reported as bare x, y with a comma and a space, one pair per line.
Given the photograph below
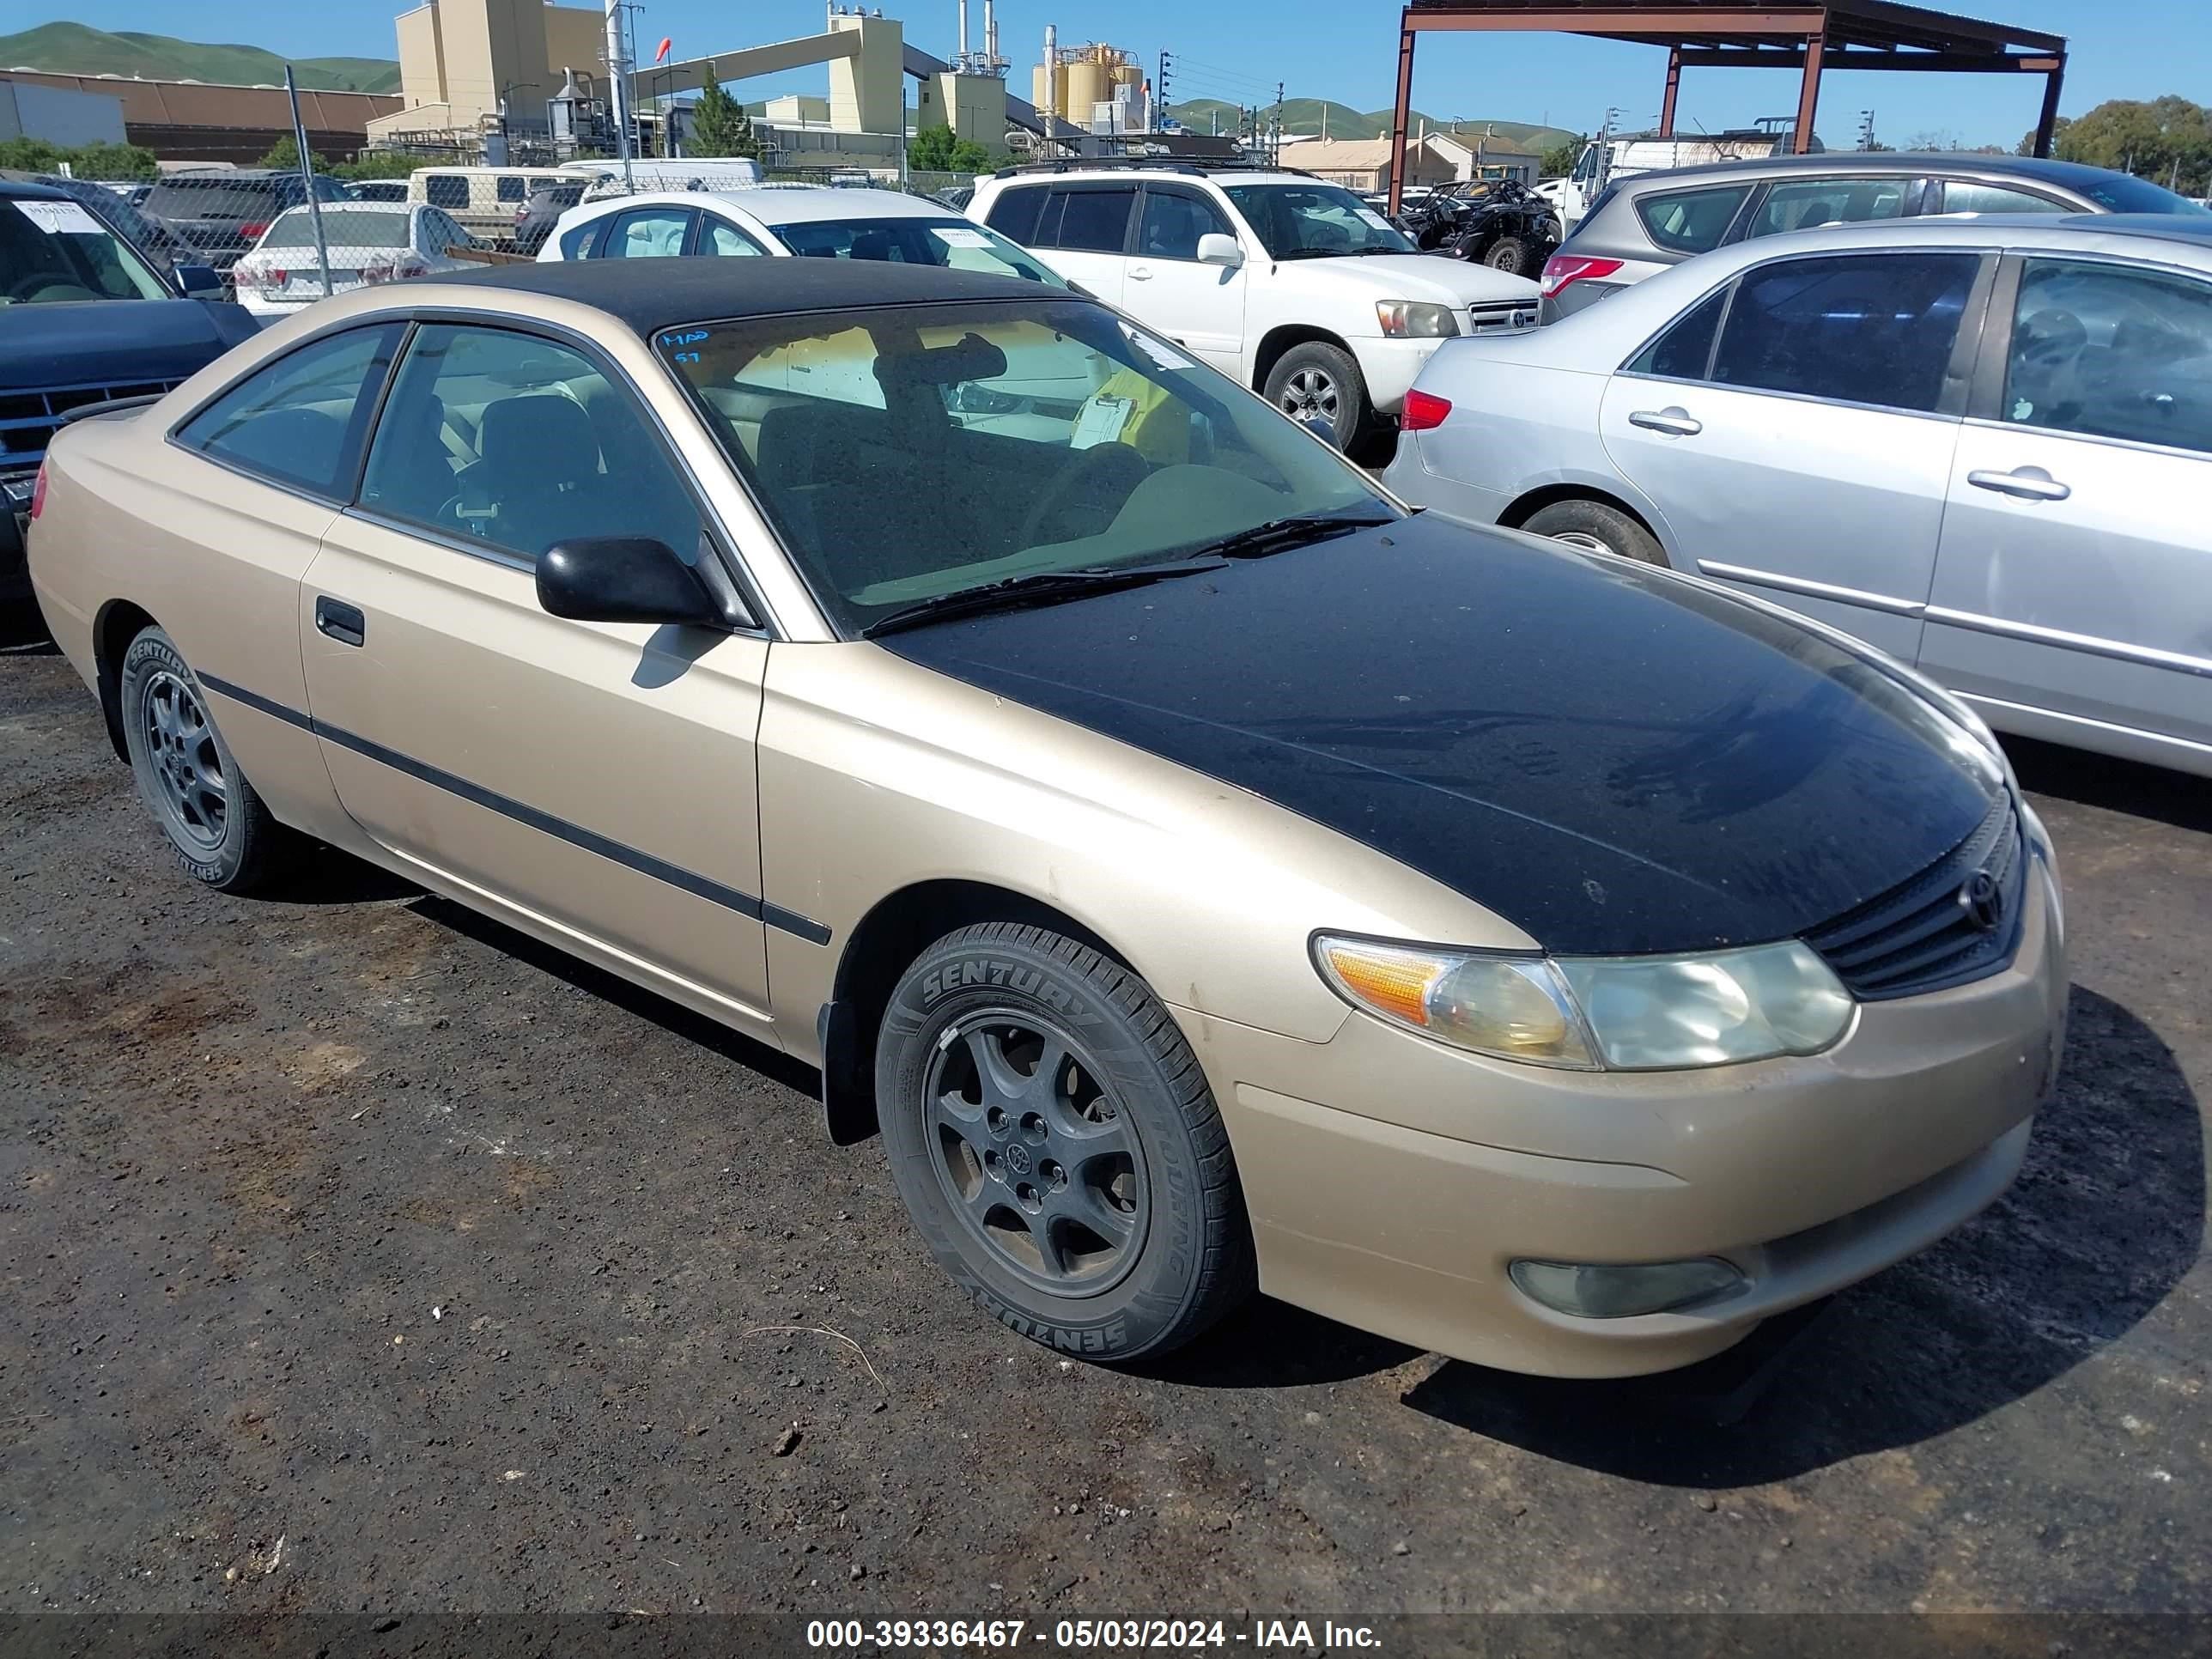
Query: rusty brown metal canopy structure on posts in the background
1808, 36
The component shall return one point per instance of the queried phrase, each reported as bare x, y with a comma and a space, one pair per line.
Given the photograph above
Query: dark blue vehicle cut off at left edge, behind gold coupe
83, 320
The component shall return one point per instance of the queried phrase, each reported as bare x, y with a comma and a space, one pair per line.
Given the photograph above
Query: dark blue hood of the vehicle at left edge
114, 342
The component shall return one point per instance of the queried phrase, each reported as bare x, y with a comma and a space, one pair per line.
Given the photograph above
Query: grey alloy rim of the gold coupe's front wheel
1041, 1162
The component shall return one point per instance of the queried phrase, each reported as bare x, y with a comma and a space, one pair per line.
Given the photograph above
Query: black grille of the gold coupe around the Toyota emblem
1919, 937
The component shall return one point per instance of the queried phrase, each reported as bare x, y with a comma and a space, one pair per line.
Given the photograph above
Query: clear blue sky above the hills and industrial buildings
1348, 52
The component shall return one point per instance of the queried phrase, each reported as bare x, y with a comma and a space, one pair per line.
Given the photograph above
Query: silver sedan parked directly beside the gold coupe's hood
1981, 446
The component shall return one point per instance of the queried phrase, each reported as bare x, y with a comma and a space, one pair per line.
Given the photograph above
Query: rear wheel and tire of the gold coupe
216, 822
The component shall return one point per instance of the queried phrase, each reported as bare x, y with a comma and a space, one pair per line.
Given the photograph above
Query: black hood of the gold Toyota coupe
1614, 760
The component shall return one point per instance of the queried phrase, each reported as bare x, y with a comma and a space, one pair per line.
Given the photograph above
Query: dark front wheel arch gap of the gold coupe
879, 950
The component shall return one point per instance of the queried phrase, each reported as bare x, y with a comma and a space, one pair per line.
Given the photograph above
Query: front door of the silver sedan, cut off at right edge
2076, 563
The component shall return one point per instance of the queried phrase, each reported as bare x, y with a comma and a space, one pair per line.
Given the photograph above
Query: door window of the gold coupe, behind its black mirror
519, 444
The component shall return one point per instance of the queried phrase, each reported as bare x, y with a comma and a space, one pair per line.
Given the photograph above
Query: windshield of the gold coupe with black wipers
917, 452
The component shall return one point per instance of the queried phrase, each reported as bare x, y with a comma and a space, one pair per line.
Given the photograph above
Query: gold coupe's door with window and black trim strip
598, 780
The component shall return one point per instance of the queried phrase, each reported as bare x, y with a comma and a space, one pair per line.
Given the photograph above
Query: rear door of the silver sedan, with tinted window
1808, 457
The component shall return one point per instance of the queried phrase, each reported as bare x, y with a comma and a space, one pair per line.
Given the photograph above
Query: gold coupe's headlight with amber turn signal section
1598, 1012
